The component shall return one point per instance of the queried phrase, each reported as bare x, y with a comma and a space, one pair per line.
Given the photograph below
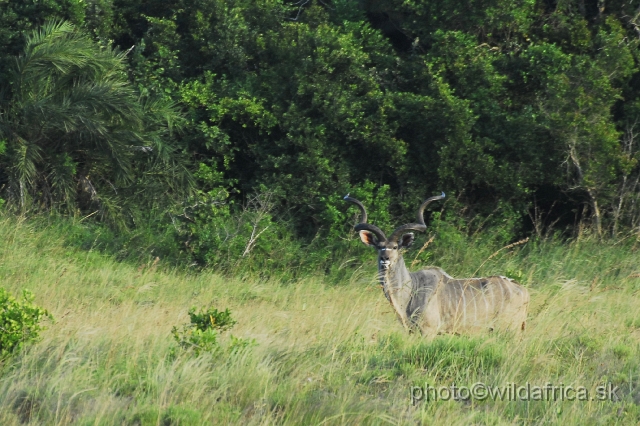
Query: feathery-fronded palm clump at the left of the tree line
77, 130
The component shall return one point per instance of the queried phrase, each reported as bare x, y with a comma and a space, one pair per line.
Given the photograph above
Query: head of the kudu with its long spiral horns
389, 248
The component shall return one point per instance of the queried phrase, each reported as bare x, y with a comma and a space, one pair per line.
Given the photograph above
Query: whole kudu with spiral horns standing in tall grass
432, 301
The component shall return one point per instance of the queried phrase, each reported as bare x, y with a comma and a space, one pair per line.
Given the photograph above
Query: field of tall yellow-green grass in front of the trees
323, 353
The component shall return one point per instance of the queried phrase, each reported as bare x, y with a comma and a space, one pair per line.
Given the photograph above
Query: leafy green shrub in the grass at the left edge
19, 322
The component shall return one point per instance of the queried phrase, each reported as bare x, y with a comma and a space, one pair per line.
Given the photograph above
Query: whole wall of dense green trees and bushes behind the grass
233, 128
